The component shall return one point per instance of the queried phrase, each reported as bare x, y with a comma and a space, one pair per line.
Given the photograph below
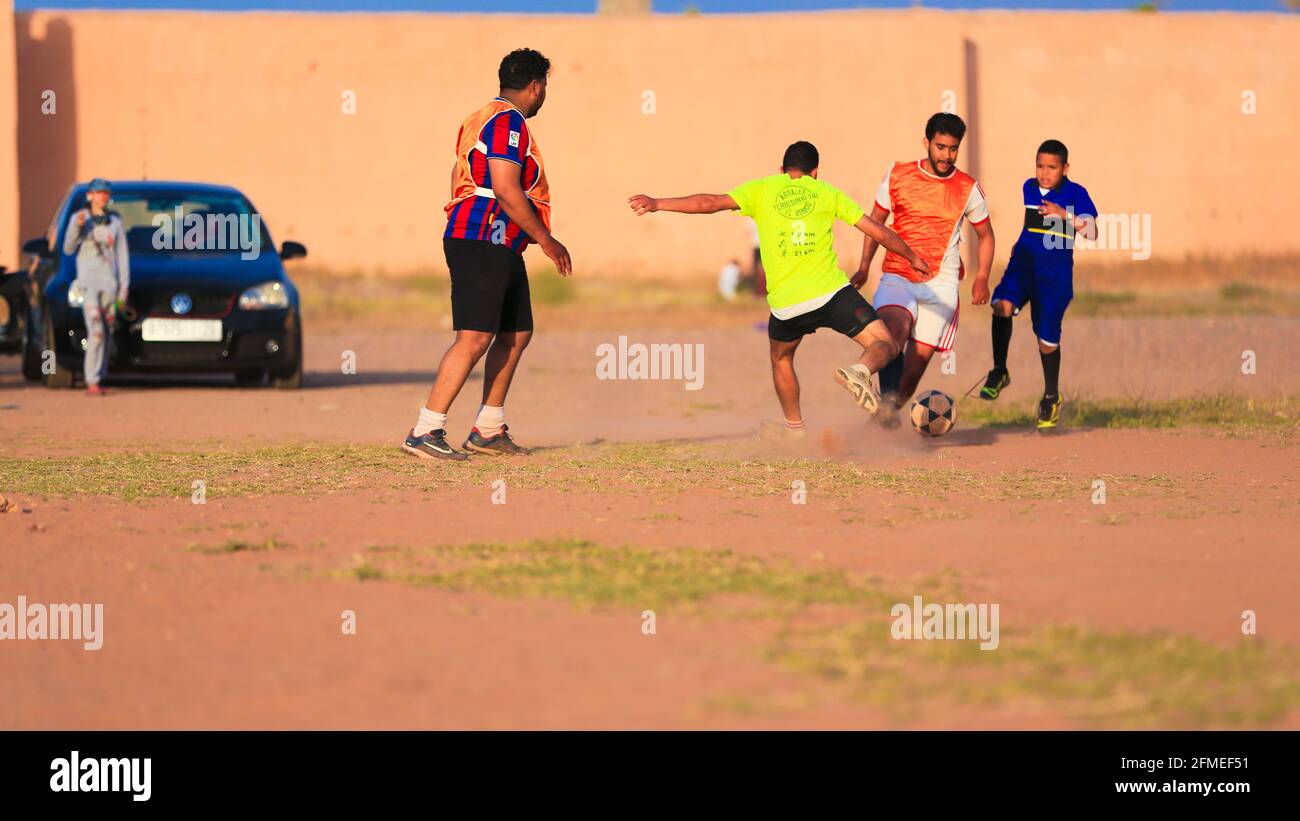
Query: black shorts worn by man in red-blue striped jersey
489, 288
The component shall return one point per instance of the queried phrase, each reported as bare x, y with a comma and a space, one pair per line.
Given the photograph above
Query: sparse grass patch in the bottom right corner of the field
1097, 679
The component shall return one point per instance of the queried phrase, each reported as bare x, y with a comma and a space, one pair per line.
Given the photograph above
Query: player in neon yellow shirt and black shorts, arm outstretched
807, 290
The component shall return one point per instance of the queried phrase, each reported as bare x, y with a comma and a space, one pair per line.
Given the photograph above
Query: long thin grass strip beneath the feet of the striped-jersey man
657, 471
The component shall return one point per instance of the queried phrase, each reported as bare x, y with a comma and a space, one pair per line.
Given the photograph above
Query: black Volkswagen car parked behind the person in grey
209, 292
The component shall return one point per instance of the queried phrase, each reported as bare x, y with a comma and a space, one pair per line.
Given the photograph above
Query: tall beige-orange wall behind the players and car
1151, 106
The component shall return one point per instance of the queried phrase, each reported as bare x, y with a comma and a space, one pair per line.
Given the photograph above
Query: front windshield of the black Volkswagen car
190, 223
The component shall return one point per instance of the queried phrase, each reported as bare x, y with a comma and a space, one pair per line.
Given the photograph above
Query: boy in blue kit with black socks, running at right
1042, 273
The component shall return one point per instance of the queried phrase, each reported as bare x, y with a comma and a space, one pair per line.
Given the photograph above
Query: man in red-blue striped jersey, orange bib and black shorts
500, 205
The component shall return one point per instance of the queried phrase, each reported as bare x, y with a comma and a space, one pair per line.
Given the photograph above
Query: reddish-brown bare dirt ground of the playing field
1197, 528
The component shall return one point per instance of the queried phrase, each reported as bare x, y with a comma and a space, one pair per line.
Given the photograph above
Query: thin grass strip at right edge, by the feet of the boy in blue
1236, 415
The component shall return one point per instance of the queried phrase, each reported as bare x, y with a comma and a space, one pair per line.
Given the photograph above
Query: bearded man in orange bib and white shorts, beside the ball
930, 202
